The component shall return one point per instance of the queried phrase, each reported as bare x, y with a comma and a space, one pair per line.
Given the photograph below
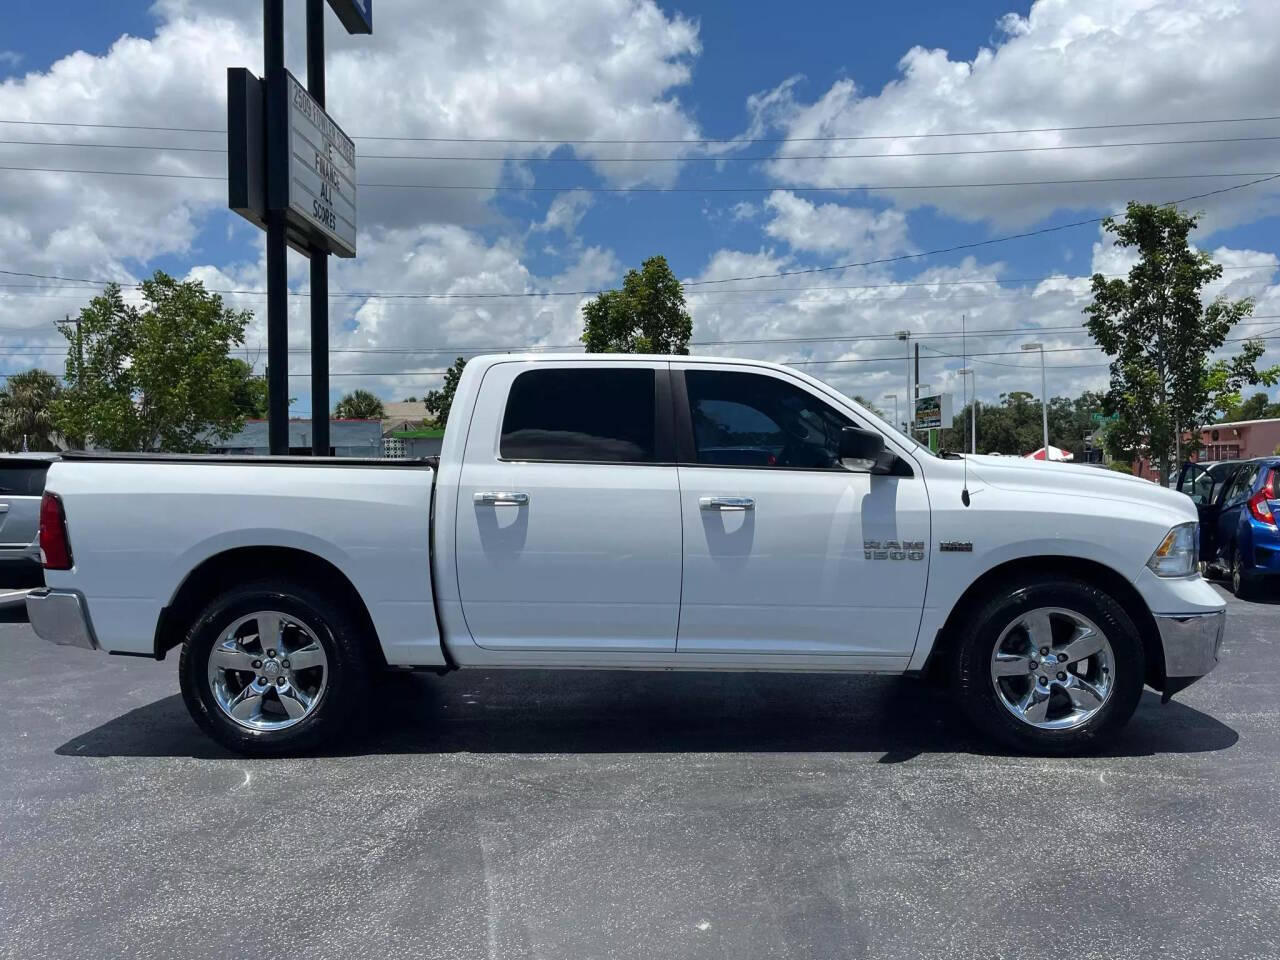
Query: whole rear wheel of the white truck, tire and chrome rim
275, 668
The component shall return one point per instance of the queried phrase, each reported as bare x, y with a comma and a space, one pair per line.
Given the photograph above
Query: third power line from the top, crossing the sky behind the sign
510, 189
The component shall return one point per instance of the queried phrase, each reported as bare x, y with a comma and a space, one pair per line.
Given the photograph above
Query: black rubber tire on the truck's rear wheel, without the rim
337, 715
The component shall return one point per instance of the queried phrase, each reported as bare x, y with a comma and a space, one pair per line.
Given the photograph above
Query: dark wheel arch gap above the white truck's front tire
1100, 575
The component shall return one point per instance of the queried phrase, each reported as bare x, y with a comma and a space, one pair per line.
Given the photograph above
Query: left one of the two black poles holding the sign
277, 268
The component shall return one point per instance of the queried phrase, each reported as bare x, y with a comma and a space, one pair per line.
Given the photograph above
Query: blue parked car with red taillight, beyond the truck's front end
1238, 505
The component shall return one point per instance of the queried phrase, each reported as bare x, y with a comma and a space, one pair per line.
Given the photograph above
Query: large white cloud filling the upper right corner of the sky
1068, 63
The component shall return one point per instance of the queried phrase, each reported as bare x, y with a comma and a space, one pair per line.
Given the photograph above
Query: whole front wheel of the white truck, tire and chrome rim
1050, 668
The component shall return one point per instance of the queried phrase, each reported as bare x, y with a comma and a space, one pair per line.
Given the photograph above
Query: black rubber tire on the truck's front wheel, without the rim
976, 691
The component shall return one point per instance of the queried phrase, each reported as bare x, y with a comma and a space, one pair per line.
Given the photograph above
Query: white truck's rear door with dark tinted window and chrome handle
569, 510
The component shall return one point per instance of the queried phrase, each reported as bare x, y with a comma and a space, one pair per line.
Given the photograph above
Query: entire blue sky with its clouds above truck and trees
639, 71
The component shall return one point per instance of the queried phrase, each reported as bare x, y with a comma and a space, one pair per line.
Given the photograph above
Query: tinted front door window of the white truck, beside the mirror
755, 420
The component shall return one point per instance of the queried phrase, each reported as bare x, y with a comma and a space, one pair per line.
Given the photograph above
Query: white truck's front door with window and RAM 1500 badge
787, 552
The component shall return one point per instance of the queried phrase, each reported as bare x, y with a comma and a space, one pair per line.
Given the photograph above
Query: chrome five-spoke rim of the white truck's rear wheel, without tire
268, 671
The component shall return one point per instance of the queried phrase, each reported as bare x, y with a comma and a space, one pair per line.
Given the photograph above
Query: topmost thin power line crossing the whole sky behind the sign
730, 141
